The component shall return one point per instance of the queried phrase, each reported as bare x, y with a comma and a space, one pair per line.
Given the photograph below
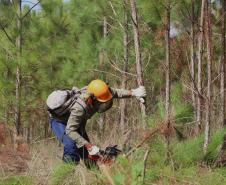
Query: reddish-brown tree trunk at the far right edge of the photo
222, 71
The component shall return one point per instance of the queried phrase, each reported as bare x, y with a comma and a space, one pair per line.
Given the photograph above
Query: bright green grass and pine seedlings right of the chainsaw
187, 164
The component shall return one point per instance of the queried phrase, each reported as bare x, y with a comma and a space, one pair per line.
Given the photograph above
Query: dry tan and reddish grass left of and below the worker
44, 167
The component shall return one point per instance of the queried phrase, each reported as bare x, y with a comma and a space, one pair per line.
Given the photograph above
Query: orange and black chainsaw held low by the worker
106, 156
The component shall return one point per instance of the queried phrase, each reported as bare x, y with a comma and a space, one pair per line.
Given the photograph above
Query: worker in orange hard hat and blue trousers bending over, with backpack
70, 109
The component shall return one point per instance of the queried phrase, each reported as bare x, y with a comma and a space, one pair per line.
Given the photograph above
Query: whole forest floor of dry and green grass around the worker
42, 165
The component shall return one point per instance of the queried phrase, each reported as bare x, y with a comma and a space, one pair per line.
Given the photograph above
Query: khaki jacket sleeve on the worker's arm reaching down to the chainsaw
75, 121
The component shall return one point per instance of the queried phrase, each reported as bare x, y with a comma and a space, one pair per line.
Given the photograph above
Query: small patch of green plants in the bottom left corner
16, 180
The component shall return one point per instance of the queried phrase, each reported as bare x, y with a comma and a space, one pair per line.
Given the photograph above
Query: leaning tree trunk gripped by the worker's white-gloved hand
138, 55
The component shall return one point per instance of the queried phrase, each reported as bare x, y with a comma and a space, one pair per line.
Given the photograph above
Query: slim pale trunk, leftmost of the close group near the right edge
193, 57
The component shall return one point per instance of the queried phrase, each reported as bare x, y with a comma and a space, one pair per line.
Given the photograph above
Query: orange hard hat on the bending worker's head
100, 90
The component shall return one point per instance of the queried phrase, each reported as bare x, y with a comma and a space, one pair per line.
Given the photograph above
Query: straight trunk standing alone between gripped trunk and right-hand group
168, 61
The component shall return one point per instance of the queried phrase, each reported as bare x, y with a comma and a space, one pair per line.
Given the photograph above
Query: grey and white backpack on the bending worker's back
59, 102
